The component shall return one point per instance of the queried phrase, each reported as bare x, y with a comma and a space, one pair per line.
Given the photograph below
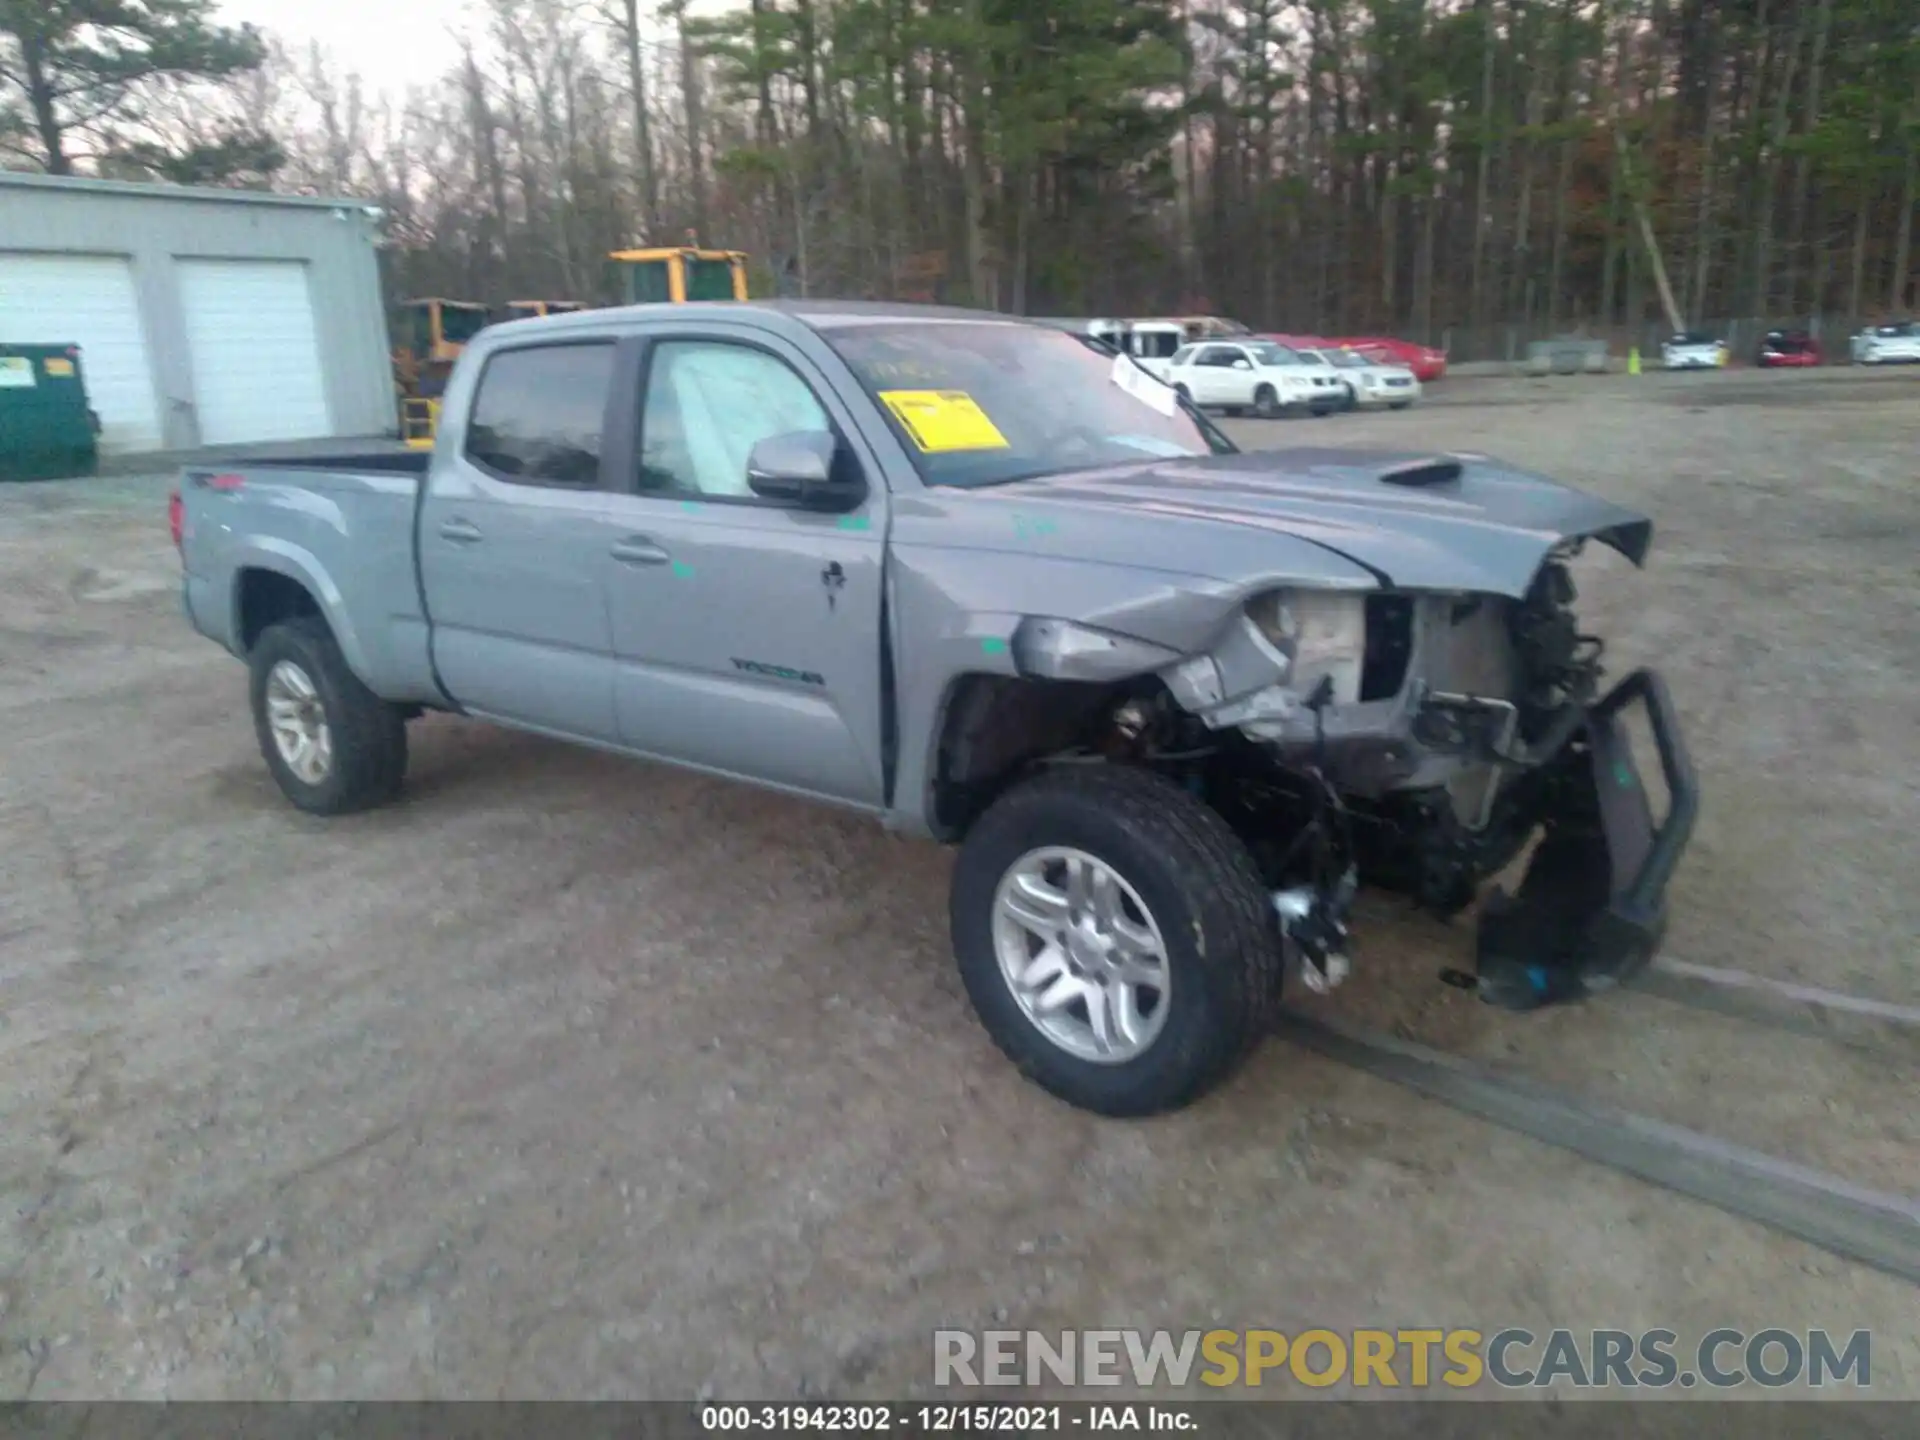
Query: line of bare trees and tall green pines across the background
1333, 166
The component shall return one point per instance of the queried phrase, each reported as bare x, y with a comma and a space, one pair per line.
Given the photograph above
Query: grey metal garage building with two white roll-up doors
204, 318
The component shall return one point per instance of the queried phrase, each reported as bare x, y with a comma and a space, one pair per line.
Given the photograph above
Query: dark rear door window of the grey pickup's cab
540, 414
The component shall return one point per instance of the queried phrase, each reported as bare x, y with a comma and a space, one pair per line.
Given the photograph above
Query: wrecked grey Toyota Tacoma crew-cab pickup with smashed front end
994, 585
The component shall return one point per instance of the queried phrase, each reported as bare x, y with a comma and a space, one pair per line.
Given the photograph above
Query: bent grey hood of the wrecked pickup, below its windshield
1487, 531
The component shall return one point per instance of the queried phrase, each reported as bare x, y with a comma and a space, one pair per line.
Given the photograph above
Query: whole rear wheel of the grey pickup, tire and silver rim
331, 744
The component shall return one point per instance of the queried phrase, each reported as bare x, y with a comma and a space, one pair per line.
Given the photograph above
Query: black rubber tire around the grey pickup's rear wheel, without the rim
370, 736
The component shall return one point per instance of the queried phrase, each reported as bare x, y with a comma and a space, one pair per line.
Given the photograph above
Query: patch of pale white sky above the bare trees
391, 43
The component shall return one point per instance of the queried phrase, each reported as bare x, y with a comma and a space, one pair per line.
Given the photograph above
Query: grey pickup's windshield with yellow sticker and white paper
984, 404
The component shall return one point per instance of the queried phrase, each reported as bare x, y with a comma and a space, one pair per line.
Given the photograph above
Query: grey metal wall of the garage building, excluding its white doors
155, 226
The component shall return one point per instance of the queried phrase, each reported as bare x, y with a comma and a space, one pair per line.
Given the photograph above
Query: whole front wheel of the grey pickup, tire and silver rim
1115, 940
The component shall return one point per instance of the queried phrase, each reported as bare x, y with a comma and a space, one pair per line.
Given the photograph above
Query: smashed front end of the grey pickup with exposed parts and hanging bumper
1424, 740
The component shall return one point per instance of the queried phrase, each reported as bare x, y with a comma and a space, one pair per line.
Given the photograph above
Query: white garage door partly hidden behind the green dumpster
89, 302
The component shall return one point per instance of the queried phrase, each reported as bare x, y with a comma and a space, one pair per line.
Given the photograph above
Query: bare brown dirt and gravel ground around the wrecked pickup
579, 1078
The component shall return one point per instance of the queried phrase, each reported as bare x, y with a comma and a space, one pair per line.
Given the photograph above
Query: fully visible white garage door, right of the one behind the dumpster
254, 350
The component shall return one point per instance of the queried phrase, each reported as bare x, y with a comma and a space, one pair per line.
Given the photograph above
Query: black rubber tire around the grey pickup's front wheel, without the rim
1199, 882
